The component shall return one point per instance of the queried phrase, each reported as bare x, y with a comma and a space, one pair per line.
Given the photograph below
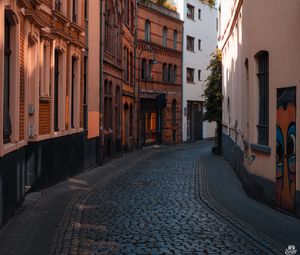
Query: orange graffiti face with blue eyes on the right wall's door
286, 148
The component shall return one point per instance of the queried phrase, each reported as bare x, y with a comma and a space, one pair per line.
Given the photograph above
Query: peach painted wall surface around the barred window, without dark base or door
245, 30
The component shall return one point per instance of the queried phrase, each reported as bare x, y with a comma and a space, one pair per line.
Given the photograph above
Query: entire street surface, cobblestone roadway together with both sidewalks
162, 204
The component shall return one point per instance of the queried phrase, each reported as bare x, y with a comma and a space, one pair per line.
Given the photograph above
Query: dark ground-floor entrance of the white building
194, 120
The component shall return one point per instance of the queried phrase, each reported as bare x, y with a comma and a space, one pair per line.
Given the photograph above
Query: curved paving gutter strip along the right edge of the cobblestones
247, 231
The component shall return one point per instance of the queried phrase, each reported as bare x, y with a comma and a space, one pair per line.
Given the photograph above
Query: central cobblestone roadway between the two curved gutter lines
157, 208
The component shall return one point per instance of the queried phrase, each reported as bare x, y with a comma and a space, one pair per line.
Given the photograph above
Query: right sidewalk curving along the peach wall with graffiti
225, 188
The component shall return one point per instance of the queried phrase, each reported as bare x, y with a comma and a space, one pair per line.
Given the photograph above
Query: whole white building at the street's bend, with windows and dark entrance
199, 42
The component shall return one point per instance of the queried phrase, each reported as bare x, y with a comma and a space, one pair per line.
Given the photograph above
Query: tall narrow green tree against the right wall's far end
213, 95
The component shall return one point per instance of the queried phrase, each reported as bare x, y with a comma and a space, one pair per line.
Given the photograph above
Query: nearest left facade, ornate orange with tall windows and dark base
41, 100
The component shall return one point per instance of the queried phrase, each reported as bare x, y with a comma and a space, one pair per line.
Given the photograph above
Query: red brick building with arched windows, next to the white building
159, 58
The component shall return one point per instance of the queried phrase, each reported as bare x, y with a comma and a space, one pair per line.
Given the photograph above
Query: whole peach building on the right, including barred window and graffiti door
261, 90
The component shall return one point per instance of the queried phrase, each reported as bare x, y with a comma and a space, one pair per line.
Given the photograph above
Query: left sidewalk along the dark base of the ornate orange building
33, 230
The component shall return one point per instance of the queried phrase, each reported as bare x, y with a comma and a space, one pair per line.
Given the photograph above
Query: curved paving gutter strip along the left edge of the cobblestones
66, 240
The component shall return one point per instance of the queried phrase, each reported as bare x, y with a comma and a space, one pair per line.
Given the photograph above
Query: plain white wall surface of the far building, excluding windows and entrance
205, 30
